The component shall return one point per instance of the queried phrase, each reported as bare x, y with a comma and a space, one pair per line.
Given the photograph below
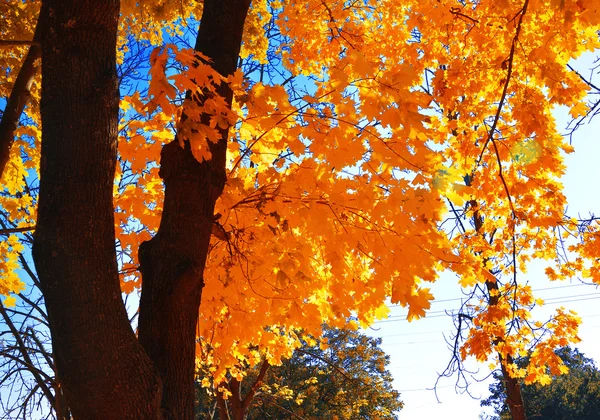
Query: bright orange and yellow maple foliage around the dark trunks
355, 131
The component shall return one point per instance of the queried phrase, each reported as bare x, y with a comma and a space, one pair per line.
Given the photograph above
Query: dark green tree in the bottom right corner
571, 396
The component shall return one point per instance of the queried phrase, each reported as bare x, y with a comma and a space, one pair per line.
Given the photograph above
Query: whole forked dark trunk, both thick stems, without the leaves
105, 372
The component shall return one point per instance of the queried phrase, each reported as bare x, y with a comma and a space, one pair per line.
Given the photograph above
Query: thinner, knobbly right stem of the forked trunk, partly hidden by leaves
172, 262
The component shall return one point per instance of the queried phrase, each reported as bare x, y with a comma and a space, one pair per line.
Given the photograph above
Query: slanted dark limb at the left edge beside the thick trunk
19, 96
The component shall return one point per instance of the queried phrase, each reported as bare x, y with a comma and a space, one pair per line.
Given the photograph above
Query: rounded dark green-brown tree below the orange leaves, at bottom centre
340, 376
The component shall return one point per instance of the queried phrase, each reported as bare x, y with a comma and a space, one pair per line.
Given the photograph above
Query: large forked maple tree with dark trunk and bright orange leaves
291, 170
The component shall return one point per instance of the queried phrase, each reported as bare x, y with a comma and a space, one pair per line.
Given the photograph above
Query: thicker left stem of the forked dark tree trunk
104, 370
